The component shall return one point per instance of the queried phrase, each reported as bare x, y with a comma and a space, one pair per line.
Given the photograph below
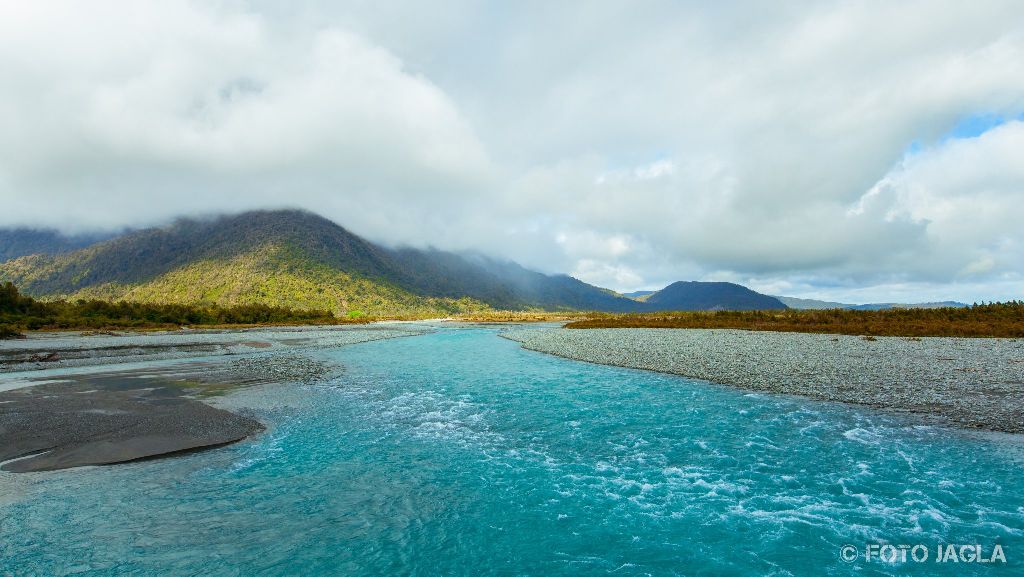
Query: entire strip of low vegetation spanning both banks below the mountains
20, 313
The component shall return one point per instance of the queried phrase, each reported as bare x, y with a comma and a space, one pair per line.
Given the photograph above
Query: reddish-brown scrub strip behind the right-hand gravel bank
993, 320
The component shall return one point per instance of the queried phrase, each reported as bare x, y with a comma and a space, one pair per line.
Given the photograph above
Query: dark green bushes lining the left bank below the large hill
19, 313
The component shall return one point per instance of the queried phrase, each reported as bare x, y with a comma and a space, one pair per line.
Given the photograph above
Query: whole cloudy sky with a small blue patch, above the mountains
864, 151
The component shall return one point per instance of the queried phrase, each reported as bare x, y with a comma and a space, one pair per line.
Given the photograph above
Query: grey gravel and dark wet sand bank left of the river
70, 401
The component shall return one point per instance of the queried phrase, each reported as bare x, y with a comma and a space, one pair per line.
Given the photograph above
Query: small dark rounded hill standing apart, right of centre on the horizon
710, 297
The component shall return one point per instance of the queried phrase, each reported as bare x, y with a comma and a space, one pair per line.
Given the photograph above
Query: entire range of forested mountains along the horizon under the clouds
300, 260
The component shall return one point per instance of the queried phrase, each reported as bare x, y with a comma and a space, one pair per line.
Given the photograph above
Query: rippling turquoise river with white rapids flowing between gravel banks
460, 454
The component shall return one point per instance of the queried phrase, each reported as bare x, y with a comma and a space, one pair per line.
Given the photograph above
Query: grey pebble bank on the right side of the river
975, 384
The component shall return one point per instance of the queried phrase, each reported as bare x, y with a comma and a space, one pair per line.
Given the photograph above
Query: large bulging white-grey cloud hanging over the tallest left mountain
135, 112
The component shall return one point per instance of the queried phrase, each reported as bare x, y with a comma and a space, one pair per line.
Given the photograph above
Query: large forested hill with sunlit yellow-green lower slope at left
285, 259
